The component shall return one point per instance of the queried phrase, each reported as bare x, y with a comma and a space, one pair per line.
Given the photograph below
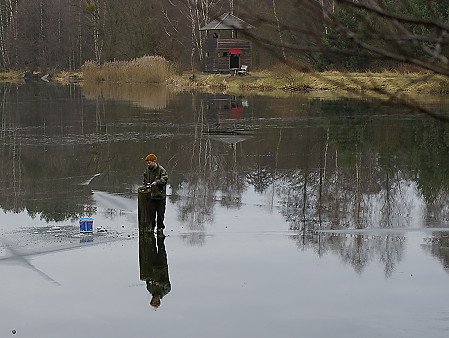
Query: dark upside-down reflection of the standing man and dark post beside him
154, 267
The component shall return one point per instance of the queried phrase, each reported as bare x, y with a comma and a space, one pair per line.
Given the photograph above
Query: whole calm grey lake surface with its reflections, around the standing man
303, 216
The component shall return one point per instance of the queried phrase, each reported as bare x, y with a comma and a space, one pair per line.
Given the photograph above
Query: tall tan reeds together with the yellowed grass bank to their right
279, 78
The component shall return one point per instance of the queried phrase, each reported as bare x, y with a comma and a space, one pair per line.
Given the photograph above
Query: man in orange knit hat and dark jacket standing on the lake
155, 180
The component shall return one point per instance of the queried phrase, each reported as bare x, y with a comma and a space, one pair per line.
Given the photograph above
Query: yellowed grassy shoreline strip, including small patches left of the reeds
281, 83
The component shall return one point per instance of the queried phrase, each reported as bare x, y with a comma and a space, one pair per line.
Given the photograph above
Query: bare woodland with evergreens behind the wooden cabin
349, 35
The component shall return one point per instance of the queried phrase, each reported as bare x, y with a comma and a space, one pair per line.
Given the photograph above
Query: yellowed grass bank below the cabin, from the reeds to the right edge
294, 81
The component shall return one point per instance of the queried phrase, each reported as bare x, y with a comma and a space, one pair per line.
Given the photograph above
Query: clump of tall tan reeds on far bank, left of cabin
146, 69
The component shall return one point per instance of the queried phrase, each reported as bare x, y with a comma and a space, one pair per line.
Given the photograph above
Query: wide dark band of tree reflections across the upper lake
323, 164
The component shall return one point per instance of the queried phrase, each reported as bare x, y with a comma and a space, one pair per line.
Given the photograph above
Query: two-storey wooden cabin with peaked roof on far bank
224, 51
